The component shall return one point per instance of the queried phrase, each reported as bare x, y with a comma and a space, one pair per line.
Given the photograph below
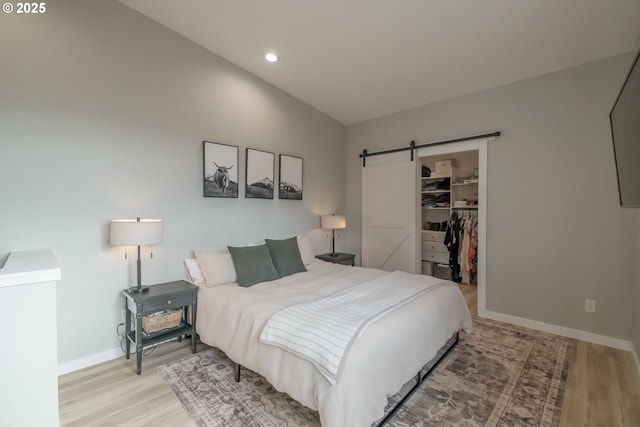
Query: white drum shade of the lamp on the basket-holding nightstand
131, 232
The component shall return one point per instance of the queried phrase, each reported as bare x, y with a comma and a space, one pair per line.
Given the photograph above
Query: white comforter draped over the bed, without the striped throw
385, 356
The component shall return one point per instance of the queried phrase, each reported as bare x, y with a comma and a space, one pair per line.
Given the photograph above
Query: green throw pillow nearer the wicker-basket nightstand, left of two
253, 264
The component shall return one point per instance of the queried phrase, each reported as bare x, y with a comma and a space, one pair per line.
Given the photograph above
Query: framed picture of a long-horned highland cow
220, 170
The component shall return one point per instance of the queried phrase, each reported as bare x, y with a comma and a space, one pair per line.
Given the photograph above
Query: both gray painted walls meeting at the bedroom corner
102, 114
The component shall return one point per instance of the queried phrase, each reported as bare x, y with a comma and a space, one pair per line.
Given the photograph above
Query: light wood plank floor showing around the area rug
603, 389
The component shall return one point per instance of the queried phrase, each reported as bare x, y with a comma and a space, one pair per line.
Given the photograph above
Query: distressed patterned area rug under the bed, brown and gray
497, 375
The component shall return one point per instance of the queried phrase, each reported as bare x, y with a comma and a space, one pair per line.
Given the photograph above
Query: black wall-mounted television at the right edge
625, 130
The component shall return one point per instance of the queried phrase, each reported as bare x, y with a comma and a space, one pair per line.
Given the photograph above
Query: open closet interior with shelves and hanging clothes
448, 186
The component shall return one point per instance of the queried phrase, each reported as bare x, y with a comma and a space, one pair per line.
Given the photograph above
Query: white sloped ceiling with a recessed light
360, 59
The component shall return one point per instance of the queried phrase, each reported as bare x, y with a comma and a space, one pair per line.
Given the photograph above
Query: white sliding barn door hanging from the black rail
389, 213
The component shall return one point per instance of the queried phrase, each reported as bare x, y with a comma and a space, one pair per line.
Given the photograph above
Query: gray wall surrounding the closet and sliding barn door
555, 232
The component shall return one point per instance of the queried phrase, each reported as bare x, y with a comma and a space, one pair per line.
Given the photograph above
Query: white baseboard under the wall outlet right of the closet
561, 330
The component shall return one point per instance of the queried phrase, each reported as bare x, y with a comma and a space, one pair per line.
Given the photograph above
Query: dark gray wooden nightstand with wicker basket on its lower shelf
165, 296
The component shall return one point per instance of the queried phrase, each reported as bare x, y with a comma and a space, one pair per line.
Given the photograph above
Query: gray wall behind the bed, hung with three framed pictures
102, 116
